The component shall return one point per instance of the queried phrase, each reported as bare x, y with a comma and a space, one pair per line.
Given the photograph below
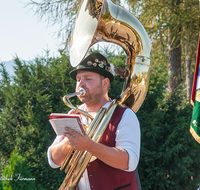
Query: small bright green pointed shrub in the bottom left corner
17, 174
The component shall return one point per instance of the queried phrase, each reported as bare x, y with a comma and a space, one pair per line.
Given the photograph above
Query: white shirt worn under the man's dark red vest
127, 137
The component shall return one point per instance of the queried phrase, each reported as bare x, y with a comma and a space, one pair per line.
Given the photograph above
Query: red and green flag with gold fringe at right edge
195, 100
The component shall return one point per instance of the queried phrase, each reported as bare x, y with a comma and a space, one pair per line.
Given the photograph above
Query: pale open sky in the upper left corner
22, 34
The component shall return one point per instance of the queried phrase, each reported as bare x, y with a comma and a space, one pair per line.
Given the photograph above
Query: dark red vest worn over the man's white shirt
103, 177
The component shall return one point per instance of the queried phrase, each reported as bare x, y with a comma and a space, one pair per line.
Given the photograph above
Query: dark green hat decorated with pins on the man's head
95, 63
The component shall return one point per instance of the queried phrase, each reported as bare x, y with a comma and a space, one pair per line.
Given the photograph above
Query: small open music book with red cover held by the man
60, 120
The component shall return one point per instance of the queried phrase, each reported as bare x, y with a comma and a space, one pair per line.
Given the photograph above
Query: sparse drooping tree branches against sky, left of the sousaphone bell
61, 12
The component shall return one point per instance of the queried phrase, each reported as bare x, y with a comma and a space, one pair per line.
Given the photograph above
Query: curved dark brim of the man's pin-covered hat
102, 72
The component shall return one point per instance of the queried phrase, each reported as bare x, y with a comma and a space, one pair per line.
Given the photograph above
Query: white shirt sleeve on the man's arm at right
128, 137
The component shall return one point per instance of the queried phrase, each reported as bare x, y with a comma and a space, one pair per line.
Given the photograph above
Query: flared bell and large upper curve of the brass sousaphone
103, 21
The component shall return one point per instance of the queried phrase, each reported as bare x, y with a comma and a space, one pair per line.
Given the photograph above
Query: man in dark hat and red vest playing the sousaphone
119, 148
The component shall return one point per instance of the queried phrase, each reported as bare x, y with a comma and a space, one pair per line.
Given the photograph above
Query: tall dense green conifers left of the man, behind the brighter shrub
35, 91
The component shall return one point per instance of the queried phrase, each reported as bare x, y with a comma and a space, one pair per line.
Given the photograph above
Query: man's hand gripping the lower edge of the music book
78, 141
